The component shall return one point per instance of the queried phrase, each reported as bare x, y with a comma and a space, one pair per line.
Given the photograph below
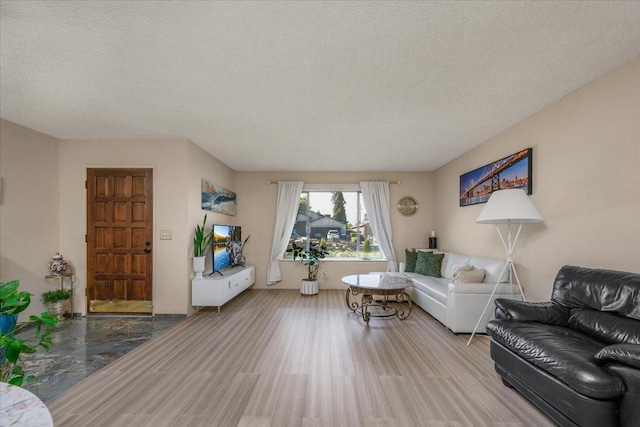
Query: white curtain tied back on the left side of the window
286, 213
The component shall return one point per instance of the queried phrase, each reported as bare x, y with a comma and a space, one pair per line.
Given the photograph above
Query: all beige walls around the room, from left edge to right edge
586, 157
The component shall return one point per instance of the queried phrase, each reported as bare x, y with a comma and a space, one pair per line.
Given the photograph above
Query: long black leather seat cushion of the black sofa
562, 352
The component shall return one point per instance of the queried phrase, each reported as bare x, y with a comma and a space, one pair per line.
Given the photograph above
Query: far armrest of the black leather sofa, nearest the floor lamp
542, 312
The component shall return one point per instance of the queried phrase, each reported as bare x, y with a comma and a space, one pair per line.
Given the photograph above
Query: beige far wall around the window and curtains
257, 216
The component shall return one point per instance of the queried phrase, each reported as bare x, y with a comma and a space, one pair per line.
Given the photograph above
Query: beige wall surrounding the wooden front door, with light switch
168, 158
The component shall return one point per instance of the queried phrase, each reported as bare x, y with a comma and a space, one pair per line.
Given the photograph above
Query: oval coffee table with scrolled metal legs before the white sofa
390, 287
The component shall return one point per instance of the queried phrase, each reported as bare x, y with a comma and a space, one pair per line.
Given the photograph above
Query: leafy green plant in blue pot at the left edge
13, 302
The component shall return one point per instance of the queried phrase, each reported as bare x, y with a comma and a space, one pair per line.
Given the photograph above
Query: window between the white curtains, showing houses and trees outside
338, 219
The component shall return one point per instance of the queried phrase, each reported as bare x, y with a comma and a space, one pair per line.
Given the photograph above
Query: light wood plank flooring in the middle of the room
277, 358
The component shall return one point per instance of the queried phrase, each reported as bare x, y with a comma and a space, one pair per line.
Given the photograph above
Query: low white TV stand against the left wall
219, 288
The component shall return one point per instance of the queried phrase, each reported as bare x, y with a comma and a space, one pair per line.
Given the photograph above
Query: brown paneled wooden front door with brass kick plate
119, 240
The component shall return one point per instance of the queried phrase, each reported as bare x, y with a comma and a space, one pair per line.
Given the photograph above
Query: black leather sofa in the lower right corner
576, 357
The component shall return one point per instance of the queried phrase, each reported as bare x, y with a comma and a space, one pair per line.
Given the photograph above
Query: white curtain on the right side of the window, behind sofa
376, 202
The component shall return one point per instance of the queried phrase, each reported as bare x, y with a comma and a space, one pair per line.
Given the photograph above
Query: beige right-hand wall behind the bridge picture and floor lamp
586, 170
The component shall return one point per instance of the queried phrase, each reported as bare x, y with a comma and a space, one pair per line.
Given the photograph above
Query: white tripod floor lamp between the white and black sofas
510, 207
